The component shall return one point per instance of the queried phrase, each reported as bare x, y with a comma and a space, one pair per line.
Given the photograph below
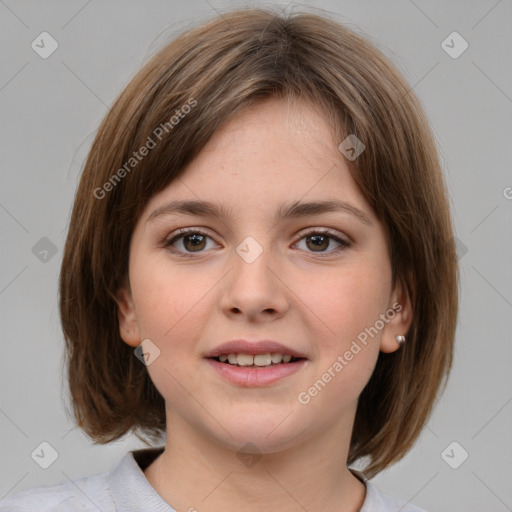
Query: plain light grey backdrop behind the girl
50, 109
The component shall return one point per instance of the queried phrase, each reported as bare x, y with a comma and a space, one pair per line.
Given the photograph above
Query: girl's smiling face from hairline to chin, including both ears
318, 283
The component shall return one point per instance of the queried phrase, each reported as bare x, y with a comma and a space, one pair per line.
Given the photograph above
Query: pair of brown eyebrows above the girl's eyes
296, 209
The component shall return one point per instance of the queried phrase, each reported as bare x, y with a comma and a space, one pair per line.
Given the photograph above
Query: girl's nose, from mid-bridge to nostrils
254, 288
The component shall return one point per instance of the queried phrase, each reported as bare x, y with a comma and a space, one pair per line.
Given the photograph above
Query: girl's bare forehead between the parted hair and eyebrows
268, 155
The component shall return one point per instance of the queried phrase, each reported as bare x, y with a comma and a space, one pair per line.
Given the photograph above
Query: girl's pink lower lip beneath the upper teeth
254, 377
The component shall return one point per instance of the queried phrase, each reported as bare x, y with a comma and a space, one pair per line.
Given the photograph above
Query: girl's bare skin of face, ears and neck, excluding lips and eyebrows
296, 293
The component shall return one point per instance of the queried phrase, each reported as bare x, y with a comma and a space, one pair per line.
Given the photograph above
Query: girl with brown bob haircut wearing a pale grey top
260, 264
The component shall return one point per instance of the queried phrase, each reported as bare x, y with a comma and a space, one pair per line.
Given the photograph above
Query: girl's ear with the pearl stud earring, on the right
399, 322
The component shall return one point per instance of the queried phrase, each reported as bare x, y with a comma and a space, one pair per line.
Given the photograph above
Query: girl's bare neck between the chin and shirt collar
196, 472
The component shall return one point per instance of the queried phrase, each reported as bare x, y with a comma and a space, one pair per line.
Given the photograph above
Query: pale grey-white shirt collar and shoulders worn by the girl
126, 489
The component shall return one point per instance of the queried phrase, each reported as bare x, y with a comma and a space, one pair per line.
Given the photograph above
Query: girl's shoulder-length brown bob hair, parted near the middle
221, 68
